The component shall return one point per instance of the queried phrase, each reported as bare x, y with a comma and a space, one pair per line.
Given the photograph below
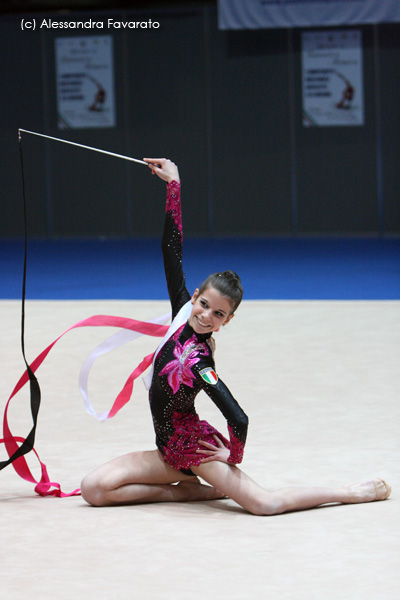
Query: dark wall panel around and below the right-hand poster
337, 166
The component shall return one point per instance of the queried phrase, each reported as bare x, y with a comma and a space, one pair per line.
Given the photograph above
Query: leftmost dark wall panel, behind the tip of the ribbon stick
21, 106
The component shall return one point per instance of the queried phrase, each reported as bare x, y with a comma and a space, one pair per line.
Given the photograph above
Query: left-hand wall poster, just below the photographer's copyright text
85, 82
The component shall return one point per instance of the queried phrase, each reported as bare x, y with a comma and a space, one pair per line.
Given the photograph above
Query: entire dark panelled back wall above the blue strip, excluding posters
226, 106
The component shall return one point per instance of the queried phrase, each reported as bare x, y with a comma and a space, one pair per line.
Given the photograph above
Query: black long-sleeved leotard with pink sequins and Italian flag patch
184, 366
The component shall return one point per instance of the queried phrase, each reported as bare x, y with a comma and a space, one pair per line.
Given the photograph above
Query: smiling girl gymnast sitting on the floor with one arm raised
187, 447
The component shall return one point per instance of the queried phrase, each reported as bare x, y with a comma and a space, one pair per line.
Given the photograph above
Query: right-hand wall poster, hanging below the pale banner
332, 78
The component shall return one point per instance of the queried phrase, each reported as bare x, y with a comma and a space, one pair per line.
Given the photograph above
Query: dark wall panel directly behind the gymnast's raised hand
167, 117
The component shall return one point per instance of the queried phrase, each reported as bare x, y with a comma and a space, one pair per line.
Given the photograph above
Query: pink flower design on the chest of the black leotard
180, 370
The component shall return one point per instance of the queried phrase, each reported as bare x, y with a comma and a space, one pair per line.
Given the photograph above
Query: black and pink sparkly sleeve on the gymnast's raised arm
172, 248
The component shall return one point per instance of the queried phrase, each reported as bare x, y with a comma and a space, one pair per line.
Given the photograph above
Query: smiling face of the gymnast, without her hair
210, 310
